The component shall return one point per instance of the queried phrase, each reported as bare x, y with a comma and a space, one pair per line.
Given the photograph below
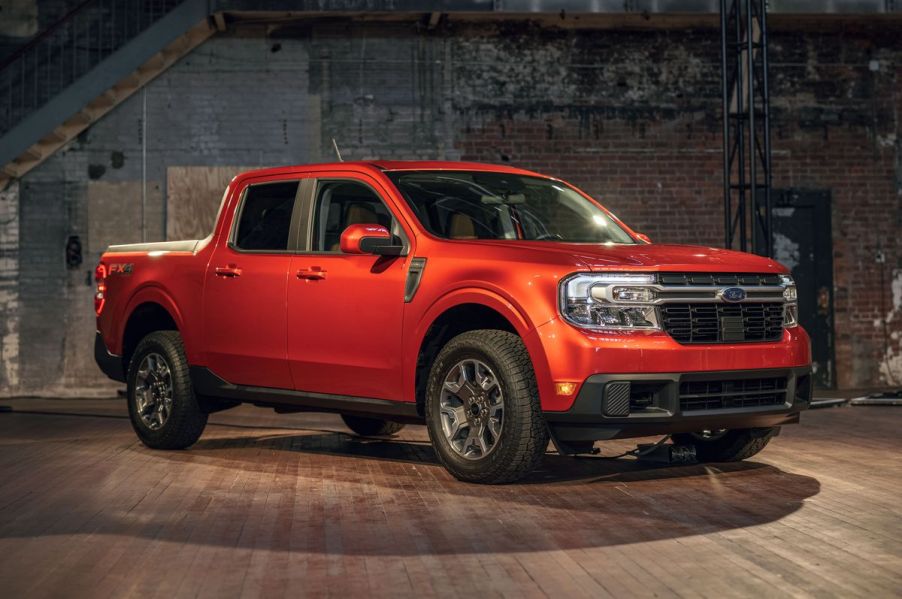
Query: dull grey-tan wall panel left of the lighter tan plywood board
114, 213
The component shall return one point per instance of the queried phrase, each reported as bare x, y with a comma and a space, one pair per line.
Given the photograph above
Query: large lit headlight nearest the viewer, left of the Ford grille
609, 301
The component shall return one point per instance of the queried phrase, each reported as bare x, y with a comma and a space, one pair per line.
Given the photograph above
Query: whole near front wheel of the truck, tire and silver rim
482, 408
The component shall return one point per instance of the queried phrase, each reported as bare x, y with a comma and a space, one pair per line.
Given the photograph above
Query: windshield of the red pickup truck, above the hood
487, 205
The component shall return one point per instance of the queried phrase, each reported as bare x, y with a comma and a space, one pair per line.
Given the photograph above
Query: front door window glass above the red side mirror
340, 204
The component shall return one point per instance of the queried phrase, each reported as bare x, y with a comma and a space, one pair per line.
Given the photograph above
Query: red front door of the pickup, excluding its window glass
345, 311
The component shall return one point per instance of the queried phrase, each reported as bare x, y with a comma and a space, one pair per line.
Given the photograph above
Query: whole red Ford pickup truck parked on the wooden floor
501, 307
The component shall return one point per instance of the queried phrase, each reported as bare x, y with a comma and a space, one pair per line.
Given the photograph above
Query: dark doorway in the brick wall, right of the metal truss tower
803, 241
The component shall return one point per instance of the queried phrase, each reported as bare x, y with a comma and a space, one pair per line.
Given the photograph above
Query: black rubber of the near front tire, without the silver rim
523, 436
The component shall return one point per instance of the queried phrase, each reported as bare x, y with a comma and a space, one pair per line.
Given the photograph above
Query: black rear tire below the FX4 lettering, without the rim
186, 420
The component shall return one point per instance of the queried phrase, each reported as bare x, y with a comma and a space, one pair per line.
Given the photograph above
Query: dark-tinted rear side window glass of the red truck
265, 219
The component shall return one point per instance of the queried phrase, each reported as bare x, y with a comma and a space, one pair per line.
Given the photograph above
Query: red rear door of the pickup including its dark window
246, 285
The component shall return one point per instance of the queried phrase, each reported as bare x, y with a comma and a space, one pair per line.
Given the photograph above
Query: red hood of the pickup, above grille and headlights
652, 257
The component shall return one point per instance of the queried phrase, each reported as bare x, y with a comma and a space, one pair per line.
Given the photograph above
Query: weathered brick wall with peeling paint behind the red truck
631, 116
